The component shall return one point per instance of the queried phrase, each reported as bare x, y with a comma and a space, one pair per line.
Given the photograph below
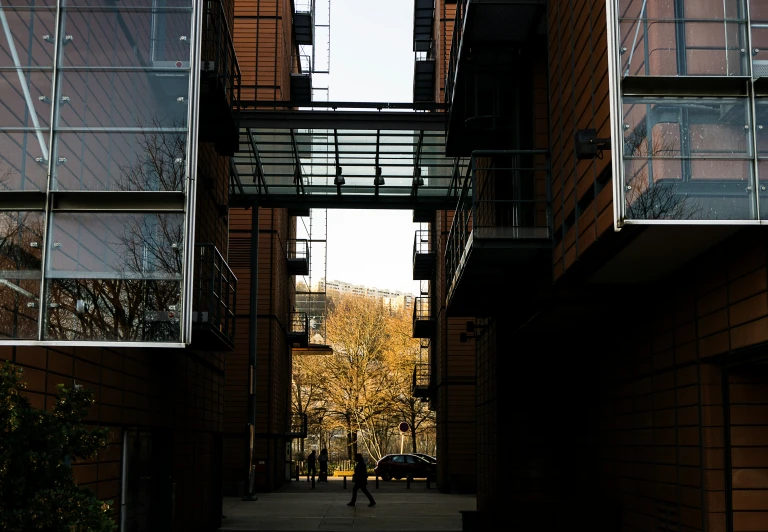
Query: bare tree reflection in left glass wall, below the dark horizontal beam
143, 303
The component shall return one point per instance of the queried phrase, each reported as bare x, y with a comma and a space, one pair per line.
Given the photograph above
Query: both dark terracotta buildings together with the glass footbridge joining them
589, 180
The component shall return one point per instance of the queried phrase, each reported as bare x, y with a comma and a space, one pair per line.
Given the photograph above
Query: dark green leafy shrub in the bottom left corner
37, 489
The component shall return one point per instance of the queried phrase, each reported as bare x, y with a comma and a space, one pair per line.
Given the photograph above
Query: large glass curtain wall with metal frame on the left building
97, 150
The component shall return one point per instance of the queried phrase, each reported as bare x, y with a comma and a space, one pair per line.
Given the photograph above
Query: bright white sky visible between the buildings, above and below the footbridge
371, 60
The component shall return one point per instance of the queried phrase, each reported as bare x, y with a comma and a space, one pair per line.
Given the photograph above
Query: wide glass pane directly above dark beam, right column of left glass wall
150, 160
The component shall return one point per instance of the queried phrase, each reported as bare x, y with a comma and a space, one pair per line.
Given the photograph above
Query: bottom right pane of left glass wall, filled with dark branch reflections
118, 310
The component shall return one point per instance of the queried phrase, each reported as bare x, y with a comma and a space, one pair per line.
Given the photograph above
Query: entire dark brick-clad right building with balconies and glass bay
616, 156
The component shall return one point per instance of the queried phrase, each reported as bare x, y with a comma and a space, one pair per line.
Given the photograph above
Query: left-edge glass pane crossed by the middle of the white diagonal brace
25, 98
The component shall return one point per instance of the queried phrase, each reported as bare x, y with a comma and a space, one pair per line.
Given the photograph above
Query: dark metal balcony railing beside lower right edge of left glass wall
215, 290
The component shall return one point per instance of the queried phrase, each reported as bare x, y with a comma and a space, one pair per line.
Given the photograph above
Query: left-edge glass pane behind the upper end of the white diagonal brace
27, 37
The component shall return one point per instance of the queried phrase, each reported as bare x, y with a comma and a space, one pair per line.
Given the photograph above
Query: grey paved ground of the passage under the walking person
300, 508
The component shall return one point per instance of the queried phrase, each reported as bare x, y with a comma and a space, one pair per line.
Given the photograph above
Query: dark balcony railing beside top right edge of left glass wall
218, 58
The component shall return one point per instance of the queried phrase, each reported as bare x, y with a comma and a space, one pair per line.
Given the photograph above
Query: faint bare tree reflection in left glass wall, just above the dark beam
160, 165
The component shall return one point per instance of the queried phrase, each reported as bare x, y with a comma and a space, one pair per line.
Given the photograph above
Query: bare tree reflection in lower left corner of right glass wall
659, 200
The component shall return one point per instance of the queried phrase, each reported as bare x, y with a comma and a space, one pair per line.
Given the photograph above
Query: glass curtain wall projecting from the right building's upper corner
690, 91
